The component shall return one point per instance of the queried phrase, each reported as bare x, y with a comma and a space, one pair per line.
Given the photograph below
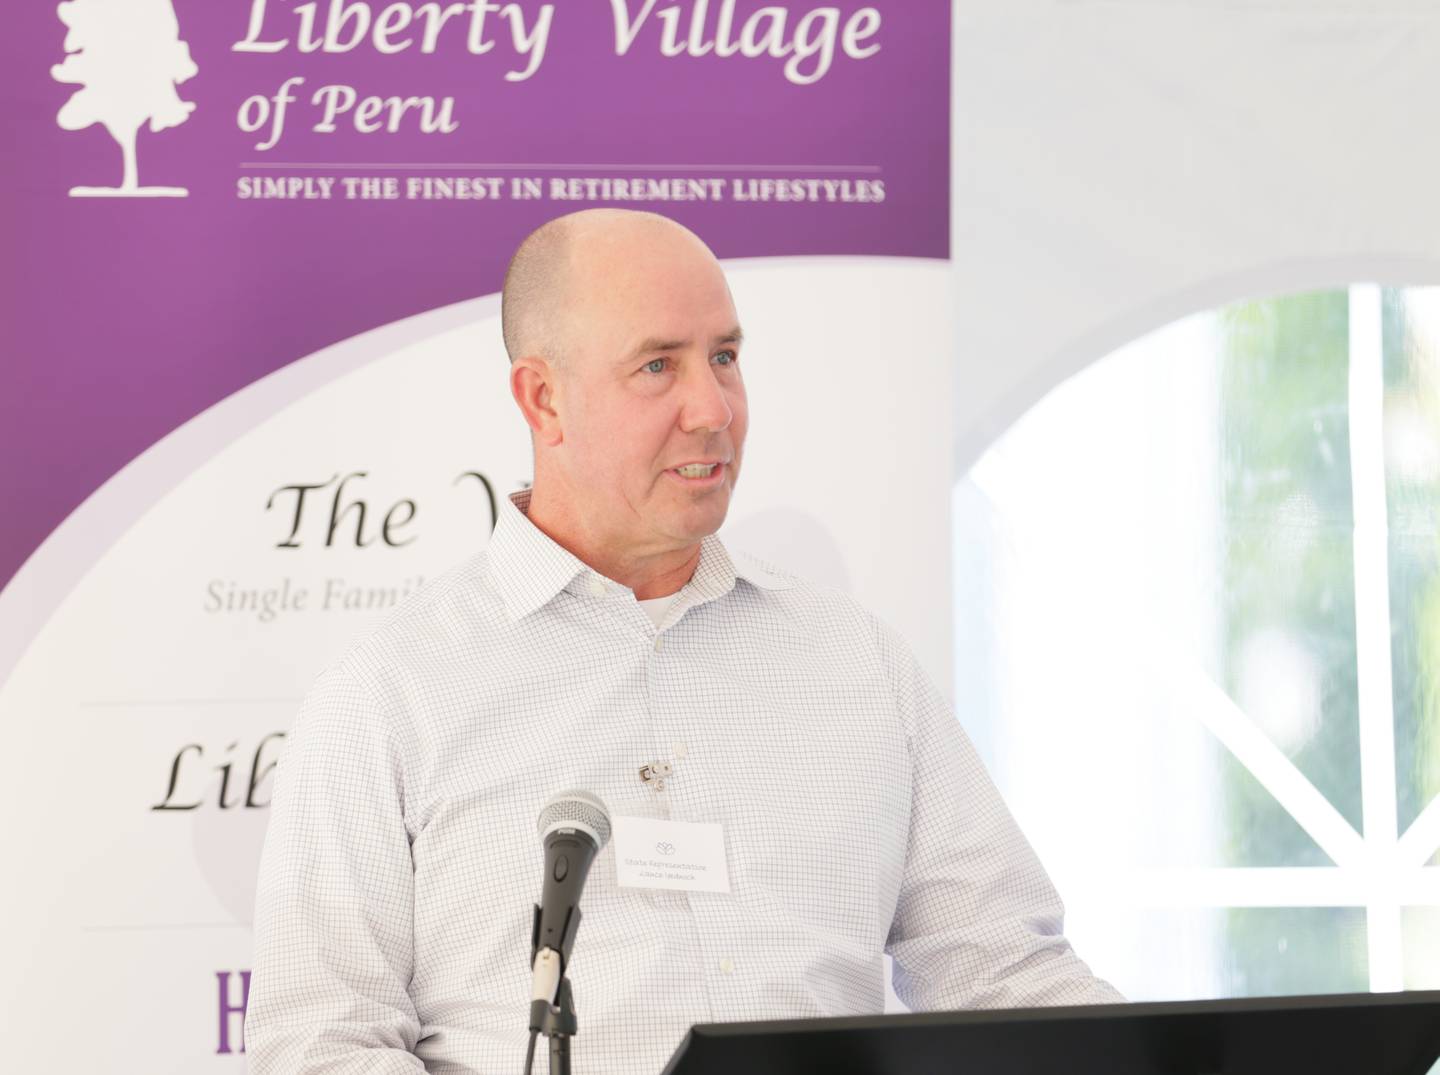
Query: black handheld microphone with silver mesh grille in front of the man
575, 827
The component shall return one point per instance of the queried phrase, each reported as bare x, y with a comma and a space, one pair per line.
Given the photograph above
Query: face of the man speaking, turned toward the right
652, 386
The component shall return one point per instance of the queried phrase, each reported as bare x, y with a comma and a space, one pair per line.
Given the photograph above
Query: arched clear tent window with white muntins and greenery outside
1199, 644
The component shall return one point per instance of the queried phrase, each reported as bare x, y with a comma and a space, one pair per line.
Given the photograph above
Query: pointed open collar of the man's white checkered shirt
529, 569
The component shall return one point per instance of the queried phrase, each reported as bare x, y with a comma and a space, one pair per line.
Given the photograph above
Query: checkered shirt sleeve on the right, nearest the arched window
978, 923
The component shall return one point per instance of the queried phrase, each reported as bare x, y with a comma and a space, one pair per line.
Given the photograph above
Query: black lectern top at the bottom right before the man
1367, 1034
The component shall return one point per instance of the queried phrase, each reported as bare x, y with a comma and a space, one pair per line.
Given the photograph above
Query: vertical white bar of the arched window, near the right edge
1377, 725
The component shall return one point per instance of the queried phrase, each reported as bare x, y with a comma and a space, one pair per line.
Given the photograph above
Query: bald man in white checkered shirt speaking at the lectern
832, 805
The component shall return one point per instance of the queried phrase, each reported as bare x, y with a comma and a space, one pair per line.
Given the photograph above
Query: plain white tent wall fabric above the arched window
1122, 163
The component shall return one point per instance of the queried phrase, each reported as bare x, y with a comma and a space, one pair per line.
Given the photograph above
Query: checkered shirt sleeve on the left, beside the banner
335, 902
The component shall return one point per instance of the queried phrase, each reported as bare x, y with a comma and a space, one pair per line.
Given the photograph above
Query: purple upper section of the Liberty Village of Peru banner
201, 194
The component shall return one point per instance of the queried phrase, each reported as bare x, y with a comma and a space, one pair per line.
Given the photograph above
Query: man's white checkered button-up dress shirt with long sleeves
402, 863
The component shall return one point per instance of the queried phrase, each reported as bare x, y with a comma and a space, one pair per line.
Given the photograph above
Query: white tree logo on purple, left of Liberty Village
127, 57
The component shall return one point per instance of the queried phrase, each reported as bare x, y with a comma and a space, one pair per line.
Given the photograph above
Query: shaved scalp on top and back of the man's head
548, 273
